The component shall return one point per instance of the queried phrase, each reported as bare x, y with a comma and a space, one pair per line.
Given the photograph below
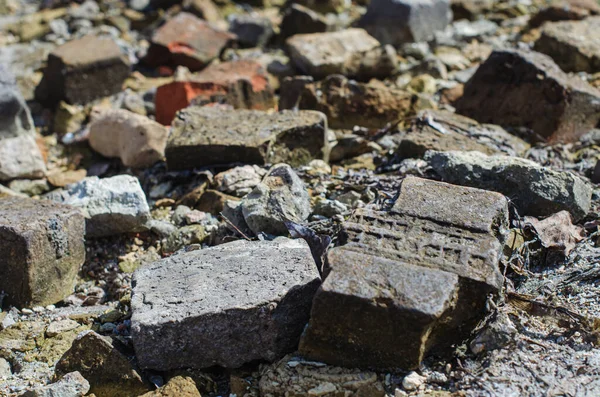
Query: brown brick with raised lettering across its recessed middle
409, 280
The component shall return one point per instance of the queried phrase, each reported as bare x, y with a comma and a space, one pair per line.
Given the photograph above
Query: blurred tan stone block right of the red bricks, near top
350, 52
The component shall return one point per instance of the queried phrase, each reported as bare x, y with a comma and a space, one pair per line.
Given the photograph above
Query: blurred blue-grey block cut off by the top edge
399, 21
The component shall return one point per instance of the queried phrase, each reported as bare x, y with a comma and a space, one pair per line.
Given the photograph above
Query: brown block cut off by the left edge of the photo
41, 250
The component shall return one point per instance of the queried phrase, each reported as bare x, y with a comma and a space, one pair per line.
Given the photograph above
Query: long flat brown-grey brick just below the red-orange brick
204, 136
